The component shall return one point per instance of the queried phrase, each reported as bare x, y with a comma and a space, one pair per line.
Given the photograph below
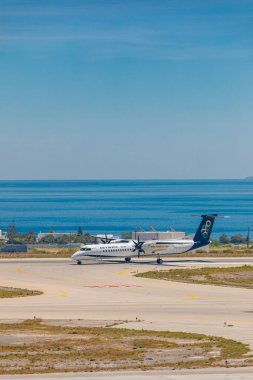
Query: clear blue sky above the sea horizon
126, 89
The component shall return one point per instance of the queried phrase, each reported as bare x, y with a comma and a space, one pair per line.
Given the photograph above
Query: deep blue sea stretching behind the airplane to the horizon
114, 206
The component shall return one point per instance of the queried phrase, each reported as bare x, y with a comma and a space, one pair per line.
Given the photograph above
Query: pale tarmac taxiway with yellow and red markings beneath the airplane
109, 291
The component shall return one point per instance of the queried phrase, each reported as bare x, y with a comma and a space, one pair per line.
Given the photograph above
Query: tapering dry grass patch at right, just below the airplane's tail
236, 276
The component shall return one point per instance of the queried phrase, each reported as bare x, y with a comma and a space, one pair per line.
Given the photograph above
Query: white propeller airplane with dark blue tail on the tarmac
121, 248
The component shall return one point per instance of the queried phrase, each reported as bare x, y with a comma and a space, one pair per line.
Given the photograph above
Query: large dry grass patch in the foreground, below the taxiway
62, 349
